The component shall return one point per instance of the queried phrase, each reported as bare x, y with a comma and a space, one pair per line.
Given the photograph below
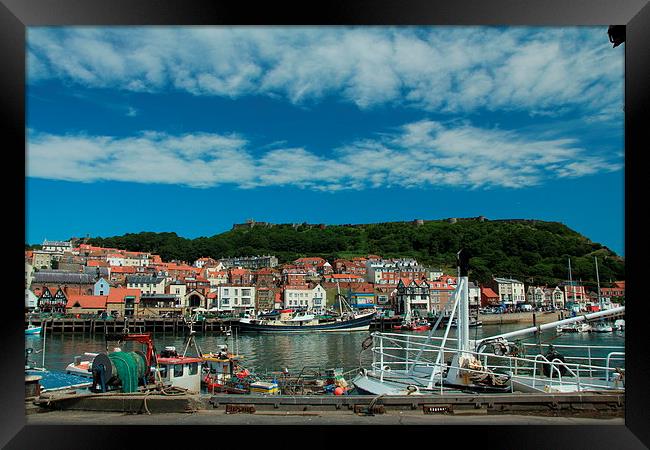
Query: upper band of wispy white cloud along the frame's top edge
446, 69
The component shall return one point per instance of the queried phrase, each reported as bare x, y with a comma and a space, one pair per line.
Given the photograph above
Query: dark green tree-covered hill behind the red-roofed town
522, 249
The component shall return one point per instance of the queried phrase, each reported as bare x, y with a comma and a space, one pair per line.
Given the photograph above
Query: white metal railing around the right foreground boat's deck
391, 359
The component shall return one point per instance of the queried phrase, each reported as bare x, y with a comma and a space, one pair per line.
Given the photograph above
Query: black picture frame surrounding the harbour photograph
16, 15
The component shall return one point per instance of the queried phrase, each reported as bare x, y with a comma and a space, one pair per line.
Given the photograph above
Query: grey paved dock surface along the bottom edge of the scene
219, 417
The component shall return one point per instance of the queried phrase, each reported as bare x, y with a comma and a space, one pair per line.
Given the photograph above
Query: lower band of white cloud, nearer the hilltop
417, 155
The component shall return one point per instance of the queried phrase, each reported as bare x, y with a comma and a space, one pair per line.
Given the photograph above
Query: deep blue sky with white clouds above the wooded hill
193, 129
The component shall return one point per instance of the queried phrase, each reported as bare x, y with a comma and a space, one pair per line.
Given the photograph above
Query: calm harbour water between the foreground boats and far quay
272, 352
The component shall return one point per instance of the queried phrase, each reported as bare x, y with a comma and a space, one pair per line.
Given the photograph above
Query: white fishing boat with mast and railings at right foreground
430, 364
